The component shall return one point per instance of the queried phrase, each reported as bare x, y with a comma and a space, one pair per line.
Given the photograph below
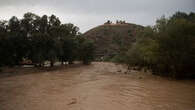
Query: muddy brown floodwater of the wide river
100, 86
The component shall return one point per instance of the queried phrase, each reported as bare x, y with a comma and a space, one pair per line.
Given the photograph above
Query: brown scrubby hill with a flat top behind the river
109, 38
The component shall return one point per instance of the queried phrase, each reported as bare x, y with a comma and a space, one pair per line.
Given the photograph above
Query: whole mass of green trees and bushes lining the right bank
168, 48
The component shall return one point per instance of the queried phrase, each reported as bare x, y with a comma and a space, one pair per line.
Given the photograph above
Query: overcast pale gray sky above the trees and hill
87, 14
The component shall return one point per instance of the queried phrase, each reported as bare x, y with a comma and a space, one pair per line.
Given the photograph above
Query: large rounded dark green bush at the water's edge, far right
176, 47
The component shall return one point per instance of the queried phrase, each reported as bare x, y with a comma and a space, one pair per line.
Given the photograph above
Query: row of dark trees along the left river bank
39, 39
